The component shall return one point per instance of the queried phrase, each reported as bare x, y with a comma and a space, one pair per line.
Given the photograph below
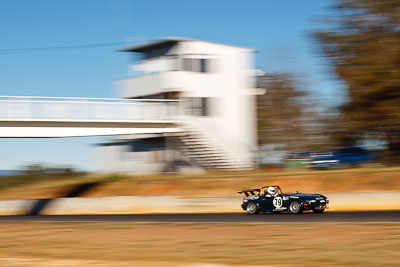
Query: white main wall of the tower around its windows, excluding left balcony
232, 84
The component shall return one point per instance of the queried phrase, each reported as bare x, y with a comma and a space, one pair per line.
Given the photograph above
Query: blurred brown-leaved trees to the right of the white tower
360, 40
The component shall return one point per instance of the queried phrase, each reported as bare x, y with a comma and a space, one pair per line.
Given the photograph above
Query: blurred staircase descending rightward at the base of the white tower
204, 151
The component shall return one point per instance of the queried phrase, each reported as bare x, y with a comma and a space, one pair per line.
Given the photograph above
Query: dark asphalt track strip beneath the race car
354, 216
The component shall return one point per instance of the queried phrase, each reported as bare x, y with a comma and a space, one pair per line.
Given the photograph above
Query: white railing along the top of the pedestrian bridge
31, 108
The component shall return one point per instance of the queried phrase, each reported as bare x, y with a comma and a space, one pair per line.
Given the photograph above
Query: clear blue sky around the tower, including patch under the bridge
279, 30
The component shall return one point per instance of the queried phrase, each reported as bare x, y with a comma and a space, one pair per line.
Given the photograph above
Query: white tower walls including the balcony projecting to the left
231, 84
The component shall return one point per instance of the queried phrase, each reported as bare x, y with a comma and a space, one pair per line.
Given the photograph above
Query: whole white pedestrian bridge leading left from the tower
29, 116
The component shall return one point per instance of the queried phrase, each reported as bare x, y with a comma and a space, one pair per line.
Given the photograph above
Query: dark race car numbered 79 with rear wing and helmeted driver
272, 199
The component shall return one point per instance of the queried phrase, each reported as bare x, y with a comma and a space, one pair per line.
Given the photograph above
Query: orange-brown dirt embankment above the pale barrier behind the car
222, 185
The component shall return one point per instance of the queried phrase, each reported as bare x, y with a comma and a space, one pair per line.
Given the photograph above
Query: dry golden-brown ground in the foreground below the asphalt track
199, 245
